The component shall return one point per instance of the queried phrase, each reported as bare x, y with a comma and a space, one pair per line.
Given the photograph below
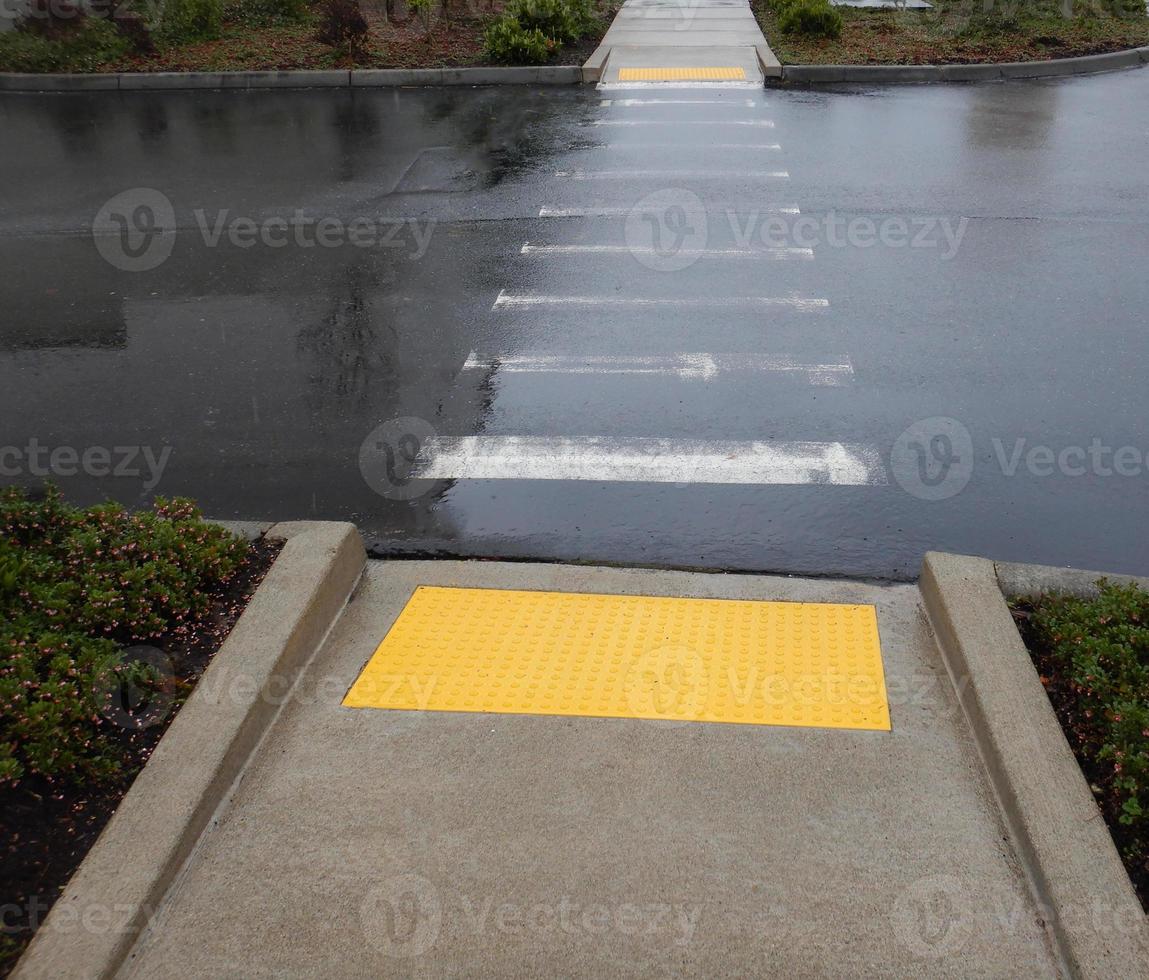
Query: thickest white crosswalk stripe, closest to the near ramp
664, 461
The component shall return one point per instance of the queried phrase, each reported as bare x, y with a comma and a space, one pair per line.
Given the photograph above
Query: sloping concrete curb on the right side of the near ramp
1097, 923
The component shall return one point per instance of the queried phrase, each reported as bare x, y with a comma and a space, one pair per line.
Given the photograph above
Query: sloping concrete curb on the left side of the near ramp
174, 801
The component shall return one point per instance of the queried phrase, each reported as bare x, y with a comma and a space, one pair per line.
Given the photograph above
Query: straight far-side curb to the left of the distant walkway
359, 79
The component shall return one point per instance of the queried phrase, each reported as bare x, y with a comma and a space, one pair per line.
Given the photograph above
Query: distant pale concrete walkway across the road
666, 35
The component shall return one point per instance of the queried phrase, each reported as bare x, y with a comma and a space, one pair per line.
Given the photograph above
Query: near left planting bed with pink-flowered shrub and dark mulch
107, 621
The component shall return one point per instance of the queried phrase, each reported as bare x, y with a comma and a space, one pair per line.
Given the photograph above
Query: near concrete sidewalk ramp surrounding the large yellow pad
376, 843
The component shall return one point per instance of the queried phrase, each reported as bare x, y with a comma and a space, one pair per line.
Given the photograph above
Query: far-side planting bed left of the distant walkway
290, 35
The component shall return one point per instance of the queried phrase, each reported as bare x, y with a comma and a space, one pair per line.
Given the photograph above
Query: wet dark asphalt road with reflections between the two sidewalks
252, 375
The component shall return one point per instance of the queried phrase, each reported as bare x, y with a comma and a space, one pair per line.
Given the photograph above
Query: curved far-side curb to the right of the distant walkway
886, 74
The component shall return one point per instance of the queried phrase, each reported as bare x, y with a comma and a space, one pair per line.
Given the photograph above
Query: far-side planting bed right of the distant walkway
955, 33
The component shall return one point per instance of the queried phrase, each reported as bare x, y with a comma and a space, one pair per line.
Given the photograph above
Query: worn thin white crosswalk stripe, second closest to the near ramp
688, 367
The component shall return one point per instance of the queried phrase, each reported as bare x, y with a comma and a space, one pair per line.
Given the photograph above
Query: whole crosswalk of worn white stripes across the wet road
678, 257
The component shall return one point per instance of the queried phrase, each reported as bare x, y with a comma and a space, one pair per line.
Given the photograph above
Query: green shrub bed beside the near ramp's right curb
1093, 659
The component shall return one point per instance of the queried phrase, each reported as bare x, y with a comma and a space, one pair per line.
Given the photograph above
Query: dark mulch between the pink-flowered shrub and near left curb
48, 828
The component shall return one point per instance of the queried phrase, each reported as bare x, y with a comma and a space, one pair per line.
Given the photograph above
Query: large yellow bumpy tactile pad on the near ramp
629, 657
